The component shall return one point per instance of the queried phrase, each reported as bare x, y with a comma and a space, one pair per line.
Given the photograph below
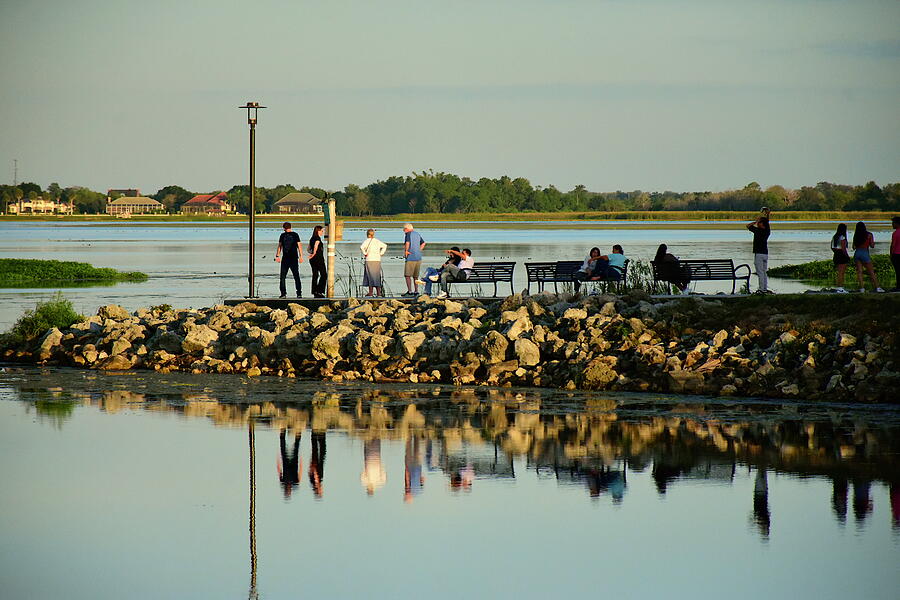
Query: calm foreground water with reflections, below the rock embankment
140, 486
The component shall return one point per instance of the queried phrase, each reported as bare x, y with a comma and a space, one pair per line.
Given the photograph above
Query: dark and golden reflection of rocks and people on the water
459, 436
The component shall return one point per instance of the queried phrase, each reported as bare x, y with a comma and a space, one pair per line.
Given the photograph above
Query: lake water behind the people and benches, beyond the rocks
195, 265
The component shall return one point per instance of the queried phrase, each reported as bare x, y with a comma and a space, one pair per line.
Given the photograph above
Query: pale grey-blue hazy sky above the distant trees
614, 95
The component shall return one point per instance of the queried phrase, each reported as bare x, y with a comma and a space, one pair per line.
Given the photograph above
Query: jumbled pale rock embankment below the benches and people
631, 343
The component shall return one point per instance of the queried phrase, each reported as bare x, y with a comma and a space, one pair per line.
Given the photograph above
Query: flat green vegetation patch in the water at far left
20, 272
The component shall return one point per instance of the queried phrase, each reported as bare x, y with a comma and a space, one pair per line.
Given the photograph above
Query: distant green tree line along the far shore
437, 192
